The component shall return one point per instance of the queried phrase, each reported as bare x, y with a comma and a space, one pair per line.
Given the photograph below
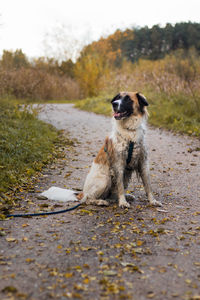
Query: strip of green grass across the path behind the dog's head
176, 113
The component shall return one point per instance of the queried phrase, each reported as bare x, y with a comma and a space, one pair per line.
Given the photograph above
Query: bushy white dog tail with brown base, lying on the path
64, 195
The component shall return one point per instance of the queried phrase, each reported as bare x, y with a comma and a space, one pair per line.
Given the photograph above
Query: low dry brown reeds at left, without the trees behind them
36, 84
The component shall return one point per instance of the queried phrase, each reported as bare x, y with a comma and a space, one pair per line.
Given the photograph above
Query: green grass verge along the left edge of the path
26, 145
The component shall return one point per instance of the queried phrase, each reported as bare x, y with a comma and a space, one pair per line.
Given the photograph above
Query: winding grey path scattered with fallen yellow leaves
108, 253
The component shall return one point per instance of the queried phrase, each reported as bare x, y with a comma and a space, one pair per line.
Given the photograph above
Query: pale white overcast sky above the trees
25, 24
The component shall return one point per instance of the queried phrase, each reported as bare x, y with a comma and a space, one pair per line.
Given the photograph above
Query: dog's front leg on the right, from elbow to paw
144, 173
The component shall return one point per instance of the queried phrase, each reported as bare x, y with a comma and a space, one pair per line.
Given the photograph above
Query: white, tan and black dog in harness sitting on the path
123, 152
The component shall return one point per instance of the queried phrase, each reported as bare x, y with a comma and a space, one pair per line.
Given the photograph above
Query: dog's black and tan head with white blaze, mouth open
126, 104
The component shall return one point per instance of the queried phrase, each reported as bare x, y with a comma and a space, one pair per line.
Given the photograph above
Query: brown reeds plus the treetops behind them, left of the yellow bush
41, 79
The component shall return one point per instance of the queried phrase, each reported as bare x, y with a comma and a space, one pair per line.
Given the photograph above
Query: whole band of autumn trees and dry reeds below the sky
163, 62
